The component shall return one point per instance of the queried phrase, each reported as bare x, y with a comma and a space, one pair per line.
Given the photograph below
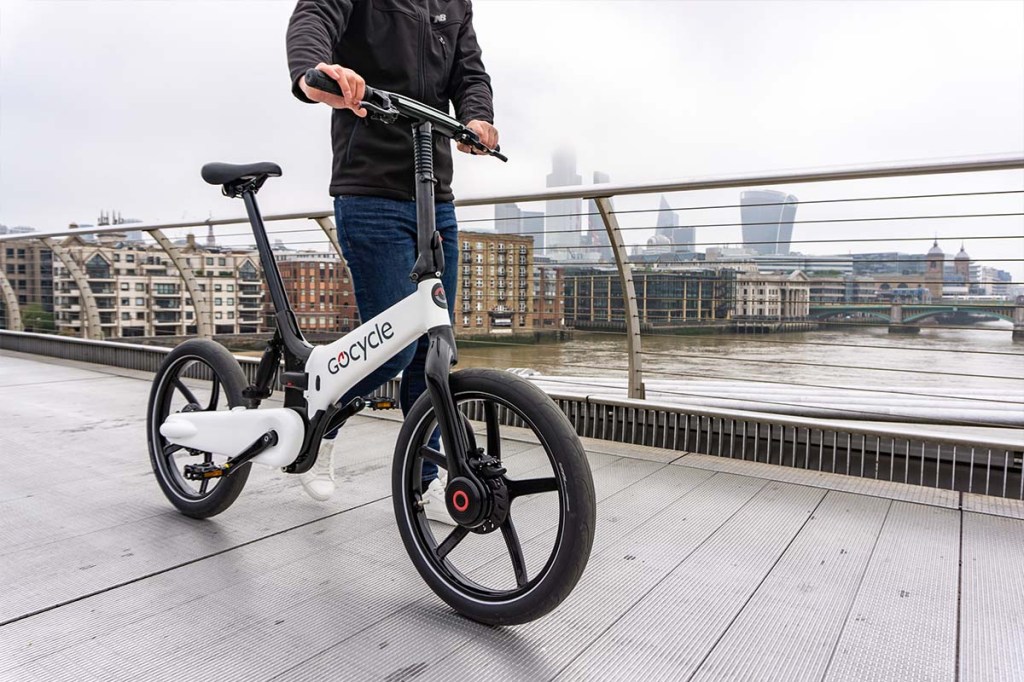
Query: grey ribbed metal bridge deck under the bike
703, 569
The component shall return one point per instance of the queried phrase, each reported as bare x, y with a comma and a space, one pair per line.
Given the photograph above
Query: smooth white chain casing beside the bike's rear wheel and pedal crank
230, 434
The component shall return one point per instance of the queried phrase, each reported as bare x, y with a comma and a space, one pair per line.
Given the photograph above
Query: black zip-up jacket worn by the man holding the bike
424, 50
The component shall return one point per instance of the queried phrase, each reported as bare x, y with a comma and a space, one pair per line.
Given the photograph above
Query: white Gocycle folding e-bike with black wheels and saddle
204, 430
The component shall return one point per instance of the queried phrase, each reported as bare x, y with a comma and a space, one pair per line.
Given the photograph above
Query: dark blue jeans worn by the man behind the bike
378, 238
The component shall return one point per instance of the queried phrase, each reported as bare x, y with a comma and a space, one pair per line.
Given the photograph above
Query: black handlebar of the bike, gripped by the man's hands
389, 107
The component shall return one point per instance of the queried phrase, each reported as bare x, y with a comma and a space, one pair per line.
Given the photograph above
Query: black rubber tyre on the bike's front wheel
577, 510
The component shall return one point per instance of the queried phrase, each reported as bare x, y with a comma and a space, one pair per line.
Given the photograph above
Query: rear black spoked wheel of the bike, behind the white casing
199, 375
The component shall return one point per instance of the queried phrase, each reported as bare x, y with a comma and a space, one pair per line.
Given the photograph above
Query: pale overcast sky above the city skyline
117, 106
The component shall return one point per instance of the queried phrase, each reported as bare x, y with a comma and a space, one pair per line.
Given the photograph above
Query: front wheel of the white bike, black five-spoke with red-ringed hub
525, 562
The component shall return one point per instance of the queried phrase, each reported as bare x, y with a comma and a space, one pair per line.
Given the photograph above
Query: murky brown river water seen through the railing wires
859, 369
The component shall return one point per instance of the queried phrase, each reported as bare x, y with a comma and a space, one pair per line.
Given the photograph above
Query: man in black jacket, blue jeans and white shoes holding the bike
425, 50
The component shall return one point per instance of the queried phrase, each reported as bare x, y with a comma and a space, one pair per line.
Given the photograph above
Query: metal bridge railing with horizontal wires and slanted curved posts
711, 294
